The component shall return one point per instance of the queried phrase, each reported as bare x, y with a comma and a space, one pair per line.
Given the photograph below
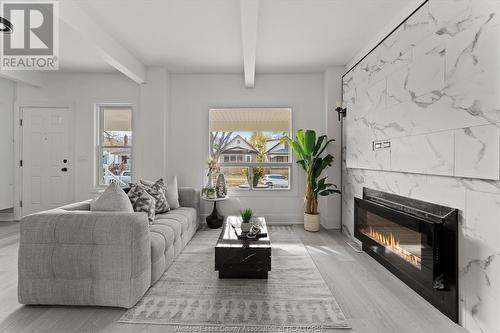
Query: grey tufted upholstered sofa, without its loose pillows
74, 256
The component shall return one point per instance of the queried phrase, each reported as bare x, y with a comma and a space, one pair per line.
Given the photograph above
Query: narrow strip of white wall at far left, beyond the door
6, 143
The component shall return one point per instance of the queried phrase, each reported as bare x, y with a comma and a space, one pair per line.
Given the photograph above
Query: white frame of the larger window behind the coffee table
250, 165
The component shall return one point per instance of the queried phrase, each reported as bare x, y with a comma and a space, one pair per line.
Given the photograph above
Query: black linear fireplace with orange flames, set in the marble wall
416, 240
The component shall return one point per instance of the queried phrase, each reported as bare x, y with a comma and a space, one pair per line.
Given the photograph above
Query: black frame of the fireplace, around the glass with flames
437, 280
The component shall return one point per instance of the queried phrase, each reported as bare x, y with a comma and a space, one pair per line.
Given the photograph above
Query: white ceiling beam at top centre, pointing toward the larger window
249, 27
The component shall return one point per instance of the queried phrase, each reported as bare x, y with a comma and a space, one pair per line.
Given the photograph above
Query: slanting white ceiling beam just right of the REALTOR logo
107, 47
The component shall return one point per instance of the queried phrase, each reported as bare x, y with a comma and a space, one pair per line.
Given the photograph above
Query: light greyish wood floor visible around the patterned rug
373, 300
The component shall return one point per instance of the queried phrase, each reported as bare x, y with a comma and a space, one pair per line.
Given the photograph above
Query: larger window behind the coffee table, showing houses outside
247, 144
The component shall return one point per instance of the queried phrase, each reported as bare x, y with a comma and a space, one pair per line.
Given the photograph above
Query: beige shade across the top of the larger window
250, 119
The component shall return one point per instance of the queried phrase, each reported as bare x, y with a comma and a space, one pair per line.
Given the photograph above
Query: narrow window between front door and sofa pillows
114, 151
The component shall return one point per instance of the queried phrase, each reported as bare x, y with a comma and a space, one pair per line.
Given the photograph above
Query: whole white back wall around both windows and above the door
171, 126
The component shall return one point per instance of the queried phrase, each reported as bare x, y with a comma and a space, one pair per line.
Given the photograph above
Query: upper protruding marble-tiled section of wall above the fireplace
431, 89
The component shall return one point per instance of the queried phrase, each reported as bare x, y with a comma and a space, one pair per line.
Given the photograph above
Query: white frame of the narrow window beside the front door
99, 122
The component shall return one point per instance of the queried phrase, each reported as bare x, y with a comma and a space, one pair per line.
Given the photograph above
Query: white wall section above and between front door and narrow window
81, 92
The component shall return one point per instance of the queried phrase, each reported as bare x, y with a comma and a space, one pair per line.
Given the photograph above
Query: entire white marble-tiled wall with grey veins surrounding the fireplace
432, 89
